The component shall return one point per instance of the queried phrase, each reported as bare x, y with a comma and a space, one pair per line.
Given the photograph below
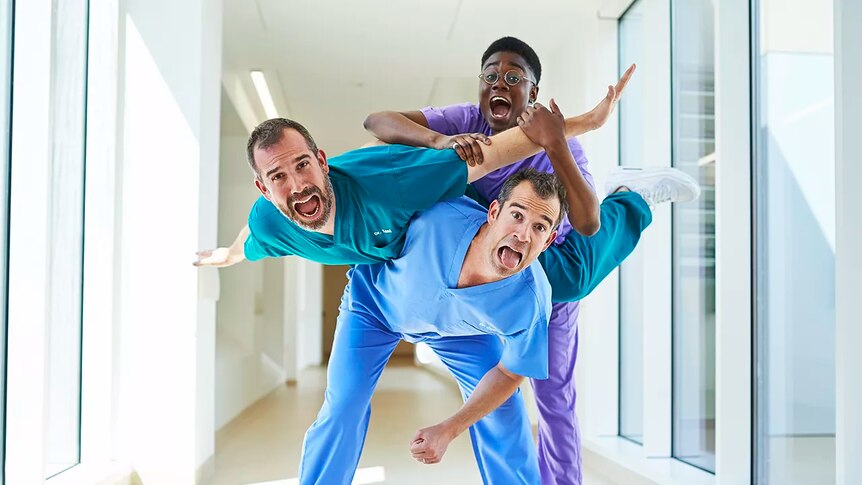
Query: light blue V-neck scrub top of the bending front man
417, 295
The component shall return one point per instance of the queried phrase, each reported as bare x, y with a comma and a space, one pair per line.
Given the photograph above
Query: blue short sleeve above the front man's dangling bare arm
526, 353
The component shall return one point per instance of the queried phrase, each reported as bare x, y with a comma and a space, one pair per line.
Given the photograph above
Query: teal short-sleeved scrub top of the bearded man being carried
377, 191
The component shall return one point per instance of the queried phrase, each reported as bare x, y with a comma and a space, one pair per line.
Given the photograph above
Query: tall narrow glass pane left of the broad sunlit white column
68, 101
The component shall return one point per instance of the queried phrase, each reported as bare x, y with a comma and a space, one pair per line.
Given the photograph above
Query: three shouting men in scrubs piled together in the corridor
473, 228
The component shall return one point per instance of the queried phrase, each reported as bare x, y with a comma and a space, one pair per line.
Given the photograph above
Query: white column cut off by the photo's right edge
848, 246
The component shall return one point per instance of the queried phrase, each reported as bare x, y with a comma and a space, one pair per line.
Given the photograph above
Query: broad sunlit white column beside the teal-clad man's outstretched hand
169, 191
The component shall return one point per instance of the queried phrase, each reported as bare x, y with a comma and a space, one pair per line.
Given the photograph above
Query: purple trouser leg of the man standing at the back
559, 438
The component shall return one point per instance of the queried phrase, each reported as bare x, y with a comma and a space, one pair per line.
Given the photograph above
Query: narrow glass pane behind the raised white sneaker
631, 42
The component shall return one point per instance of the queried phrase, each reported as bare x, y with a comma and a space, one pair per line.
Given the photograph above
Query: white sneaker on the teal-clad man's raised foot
656, 185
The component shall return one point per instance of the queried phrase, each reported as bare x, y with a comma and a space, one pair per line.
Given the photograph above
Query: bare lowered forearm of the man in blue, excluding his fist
493, 390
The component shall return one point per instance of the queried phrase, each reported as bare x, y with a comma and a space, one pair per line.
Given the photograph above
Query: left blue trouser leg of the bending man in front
330, 452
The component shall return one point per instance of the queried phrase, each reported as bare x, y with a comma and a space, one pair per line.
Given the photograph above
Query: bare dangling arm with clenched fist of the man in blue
429, 444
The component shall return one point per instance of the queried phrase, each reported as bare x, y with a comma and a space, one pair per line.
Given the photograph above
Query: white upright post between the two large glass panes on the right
733, 243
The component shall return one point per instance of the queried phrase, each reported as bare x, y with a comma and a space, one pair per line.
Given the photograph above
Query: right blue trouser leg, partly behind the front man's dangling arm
502, 440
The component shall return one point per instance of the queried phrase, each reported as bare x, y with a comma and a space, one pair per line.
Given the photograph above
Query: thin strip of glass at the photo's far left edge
5, 115
